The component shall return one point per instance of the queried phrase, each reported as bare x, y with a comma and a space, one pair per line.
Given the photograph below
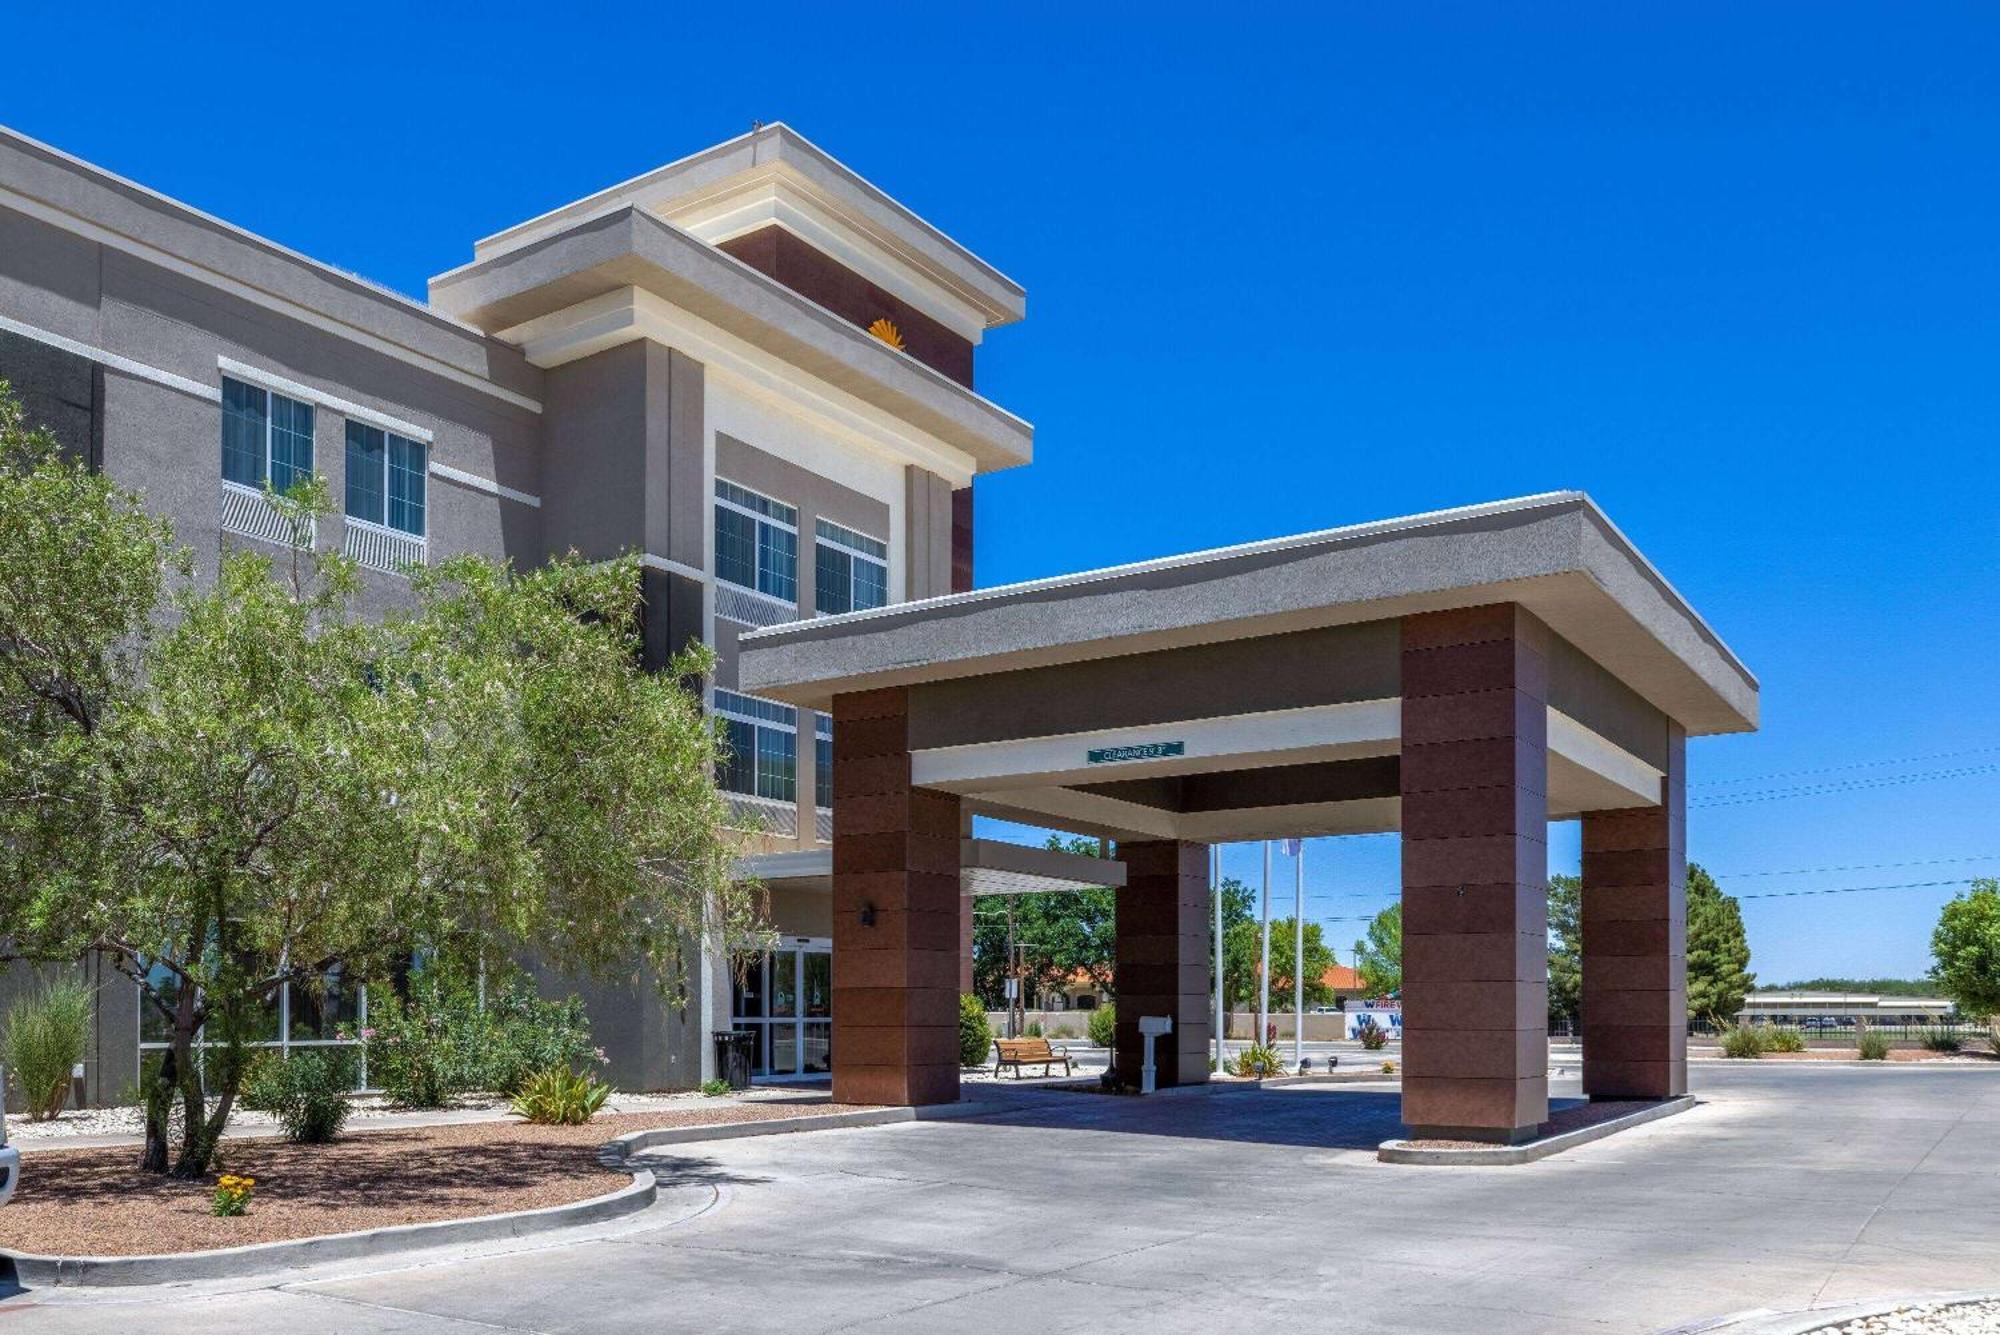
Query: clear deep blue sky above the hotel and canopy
1731, 273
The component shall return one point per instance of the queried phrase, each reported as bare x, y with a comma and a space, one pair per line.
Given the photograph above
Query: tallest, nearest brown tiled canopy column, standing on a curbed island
1475, 874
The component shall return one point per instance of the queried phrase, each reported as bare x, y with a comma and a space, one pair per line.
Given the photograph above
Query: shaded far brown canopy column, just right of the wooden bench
1163, 960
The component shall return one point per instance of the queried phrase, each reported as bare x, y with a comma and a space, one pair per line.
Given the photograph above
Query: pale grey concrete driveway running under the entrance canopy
1247, 1210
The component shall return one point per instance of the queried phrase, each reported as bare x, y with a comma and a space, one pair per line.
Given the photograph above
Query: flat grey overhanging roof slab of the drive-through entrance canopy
1557, 555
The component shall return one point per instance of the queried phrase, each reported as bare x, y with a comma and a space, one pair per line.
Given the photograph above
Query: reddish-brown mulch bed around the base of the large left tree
95, 1202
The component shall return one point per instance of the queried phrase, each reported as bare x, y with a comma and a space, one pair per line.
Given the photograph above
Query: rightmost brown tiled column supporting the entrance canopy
1637, 942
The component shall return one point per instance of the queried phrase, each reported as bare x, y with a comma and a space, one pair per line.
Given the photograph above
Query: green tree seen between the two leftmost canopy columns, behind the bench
1063, 934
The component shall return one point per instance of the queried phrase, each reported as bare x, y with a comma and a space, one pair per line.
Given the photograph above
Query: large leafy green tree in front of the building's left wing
273, 790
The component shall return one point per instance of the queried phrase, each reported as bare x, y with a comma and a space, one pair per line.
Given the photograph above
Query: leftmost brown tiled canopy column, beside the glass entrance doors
897, 910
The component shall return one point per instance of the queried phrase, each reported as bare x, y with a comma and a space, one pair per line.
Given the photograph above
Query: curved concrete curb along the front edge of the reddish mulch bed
265, 1258
